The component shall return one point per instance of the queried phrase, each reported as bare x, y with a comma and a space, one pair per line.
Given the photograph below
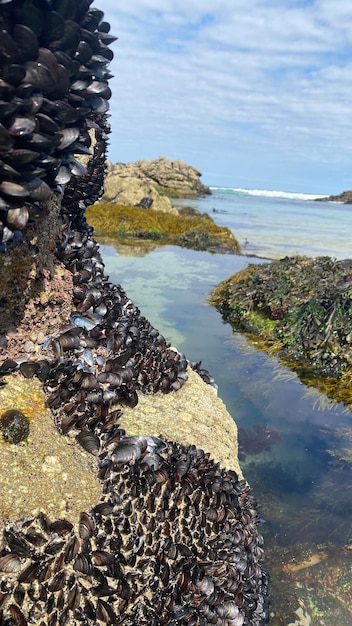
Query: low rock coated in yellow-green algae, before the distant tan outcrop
193, 231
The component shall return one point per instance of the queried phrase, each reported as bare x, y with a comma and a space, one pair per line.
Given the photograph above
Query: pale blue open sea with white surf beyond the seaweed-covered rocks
278, 223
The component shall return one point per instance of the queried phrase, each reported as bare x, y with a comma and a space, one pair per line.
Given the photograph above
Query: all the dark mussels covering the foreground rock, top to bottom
174, 539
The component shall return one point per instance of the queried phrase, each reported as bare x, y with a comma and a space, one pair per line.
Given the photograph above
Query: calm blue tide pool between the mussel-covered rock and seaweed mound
303, 479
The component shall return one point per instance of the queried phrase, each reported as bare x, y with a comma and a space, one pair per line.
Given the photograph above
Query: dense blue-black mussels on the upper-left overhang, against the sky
53, 89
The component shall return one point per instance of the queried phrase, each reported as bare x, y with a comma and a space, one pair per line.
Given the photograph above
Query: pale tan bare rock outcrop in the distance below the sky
151, 183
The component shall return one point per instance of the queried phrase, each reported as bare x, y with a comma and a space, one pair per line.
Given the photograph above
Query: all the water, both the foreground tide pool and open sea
303, 480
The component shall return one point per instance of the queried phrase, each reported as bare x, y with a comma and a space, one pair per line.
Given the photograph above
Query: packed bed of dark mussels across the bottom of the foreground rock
173, 541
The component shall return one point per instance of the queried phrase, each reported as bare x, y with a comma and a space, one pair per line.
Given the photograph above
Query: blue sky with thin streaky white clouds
255, 94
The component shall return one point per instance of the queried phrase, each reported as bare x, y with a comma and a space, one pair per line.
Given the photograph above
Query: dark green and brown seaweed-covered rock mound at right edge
299, 307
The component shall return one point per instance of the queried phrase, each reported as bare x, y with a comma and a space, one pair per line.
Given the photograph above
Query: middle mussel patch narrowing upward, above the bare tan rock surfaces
106, 354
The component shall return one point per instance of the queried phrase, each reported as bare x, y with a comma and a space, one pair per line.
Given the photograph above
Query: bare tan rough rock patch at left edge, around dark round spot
50, 473
